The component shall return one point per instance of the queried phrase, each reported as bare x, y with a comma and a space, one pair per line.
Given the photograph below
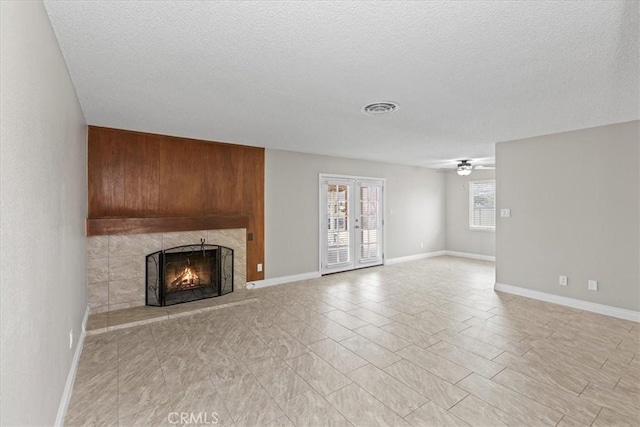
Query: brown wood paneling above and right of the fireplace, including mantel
144, 182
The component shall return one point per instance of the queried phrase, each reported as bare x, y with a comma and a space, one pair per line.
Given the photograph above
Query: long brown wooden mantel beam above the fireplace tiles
108, 226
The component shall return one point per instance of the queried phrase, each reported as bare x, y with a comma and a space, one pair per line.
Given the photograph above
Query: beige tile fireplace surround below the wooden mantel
116, 264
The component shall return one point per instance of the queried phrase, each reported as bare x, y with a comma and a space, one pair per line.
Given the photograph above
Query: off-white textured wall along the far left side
43, 202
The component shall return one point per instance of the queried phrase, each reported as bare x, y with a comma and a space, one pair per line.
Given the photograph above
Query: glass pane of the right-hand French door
370, 223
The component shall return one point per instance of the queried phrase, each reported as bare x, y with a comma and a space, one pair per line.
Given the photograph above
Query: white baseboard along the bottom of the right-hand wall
620, 313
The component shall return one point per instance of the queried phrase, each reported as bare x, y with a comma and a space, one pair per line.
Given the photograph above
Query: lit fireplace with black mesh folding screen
188, 273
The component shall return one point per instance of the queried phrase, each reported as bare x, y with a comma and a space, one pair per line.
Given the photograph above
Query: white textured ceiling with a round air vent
295, 75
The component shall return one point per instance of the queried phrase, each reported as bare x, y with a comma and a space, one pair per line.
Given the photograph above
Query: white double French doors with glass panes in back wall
351, 223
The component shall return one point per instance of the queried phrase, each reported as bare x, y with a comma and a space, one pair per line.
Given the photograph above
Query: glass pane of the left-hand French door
338, 243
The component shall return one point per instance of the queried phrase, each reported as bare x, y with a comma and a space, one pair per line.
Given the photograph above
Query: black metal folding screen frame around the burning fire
157, 261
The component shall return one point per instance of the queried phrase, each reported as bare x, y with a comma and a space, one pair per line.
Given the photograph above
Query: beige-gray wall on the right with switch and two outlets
575, 211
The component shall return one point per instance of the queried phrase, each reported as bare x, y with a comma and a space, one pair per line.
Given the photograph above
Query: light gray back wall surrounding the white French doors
415, 194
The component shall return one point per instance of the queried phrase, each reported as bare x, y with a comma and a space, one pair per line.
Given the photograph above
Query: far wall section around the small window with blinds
460, 238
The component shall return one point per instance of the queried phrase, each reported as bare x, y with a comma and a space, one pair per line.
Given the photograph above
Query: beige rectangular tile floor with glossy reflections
425, 343
